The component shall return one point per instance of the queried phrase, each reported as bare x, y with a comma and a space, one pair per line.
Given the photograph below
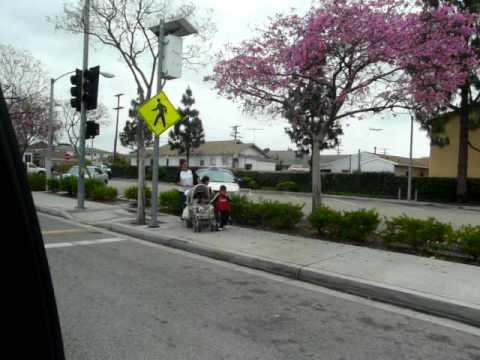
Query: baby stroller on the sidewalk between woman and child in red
200, 213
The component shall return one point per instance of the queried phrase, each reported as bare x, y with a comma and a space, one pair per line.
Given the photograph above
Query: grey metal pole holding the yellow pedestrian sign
156, 144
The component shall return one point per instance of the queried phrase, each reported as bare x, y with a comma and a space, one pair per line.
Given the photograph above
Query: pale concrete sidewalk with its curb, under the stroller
429, 285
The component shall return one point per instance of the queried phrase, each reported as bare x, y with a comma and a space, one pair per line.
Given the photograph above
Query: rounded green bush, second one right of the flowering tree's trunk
358, 225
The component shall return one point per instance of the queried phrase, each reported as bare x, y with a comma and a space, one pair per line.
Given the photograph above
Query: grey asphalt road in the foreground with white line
128, 299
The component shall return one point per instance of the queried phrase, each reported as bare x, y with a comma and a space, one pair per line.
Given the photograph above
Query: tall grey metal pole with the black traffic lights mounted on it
83, 112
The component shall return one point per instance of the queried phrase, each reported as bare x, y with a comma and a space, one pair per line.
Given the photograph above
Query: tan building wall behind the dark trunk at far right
443, 161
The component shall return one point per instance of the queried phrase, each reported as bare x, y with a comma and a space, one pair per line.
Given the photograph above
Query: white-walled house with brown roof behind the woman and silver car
227, 154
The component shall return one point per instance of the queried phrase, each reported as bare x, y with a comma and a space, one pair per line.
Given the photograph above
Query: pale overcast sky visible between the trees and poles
23, 25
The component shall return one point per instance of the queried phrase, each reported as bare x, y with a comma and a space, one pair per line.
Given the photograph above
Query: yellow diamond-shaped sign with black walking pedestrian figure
158, 113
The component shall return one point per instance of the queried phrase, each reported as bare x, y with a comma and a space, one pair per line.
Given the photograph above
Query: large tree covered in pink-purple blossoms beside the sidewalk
344, 59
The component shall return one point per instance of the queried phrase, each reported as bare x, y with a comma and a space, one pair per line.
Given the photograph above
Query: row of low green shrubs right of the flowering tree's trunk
429, 234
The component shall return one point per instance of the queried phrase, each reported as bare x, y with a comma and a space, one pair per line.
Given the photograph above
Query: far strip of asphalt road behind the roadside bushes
453, 215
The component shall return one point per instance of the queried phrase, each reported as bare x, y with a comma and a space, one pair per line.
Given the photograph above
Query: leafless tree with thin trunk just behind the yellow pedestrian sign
124, 26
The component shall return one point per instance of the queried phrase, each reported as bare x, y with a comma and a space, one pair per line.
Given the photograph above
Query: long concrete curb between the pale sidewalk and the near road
466, 313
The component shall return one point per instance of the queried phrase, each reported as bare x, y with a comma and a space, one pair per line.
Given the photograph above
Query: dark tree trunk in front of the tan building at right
462, 169
